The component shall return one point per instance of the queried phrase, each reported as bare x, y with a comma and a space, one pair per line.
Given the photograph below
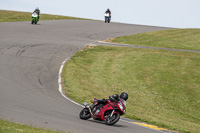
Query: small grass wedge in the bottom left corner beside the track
10, 127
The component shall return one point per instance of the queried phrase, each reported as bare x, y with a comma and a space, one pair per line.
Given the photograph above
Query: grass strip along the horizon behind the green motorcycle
14, 16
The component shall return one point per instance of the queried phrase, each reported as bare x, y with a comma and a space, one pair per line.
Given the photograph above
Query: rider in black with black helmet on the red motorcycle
113, 98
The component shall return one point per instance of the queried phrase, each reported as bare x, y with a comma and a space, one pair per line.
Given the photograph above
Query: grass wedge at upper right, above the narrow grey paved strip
173, 38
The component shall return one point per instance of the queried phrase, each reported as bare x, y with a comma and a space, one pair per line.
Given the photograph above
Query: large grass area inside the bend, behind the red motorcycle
163, 86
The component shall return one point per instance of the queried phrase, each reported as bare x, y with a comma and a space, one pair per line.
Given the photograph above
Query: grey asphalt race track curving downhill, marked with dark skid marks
30, 59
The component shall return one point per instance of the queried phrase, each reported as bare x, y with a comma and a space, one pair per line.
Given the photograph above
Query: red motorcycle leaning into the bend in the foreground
110, 112
